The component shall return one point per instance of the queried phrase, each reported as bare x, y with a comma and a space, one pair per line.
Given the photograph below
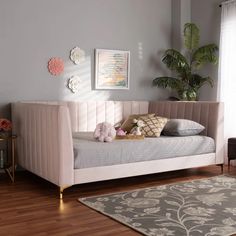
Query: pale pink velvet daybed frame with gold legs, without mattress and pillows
45, 142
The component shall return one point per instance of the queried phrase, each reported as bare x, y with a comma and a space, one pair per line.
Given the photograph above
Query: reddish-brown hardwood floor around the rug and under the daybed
31, 206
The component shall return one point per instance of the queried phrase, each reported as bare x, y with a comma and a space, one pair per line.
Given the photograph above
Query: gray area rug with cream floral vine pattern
200, 207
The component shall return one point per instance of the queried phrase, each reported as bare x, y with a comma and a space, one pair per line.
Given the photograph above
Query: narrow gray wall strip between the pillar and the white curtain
207, 14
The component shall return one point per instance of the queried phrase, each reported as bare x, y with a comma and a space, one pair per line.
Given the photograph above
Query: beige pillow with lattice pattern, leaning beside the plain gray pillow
153, 126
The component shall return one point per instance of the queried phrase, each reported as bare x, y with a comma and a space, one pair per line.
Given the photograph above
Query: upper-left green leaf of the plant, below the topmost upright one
175, 61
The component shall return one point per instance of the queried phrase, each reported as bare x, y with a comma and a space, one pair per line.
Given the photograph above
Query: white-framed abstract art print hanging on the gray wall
112, 69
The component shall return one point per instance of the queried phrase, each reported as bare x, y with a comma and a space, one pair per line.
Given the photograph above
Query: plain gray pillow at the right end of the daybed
182, 127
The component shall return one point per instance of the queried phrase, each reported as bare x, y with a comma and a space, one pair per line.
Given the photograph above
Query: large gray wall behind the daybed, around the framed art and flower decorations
32, 31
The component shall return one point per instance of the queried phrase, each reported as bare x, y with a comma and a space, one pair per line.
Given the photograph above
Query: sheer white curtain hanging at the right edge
227, 67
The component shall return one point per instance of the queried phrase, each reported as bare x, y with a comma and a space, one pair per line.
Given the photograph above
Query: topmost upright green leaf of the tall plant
191, 36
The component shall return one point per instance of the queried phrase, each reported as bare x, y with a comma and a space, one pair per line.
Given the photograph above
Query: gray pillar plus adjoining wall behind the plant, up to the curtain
206, 14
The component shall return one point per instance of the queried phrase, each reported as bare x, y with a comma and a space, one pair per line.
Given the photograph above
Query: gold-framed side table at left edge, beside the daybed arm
8, 160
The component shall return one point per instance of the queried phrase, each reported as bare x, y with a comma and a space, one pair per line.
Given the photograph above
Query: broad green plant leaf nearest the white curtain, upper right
204, 55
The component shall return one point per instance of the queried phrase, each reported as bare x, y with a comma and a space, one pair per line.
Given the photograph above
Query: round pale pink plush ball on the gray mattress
104, 132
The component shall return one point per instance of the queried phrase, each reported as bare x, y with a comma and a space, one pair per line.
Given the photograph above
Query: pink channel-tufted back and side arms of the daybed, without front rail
44, 143
